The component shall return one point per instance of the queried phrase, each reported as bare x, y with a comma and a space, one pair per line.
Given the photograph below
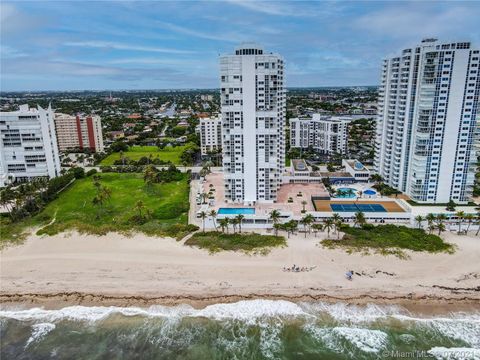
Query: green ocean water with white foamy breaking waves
255, 329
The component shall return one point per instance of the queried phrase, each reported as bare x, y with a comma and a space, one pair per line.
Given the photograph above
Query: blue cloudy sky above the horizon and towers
96, 45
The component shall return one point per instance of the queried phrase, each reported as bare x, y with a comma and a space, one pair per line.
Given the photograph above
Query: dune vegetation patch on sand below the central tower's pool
248, 242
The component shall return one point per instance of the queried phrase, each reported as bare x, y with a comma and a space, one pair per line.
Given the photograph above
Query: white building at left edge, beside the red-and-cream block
28, 145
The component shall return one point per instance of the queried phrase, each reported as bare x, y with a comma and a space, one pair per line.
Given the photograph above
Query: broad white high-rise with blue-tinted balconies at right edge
427, 130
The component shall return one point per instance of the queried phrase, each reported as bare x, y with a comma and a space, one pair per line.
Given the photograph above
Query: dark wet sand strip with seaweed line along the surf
409, 301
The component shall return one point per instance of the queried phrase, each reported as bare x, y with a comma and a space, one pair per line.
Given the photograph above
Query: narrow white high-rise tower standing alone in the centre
253, 123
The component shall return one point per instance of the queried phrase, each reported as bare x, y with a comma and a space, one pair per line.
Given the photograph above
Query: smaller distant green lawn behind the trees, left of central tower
136, 152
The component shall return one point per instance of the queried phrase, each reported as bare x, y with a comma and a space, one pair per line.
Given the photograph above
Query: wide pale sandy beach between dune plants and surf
116, 269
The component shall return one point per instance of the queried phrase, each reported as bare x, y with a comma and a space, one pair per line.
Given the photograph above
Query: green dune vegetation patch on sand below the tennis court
389, 240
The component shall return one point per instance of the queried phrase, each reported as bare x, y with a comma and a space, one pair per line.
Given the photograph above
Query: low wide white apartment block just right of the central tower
325, 134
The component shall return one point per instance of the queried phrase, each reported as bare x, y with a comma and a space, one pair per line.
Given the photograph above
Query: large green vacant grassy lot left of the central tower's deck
74, 209
